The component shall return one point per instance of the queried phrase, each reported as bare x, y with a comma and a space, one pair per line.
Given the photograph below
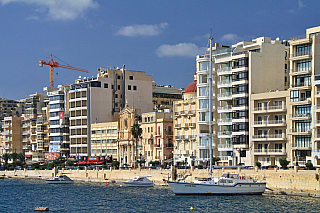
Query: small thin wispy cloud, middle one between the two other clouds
142, 30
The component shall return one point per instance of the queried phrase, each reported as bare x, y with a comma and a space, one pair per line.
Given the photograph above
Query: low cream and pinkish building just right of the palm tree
157, 137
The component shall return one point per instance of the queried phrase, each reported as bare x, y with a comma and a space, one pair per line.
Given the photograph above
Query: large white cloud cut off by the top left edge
58, 9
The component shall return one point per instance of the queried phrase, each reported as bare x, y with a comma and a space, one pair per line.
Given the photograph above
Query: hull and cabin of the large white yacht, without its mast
228, 184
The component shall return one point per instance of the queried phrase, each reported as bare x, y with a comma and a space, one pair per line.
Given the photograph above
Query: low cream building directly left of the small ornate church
104, 139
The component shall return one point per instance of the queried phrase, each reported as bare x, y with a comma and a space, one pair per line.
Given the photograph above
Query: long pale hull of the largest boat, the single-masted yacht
182, 188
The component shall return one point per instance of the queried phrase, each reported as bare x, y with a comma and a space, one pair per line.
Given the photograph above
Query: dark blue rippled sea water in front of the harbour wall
23, 195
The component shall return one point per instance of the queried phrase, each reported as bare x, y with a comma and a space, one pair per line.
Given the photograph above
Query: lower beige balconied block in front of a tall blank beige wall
269, 129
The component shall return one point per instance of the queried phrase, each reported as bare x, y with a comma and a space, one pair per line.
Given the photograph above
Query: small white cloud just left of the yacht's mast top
181, 49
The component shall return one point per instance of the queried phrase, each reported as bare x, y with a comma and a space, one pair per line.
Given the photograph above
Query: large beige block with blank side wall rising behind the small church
100, 99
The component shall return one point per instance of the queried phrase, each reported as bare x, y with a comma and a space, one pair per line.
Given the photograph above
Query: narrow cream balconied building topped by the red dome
185, 120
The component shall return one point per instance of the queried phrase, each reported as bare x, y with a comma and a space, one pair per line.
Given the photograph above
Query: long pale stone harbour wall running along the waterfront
283, 180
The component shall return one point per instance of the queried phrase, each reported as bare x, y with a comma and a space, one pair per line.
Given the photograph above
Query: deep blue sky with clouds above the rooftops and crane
161, 38
